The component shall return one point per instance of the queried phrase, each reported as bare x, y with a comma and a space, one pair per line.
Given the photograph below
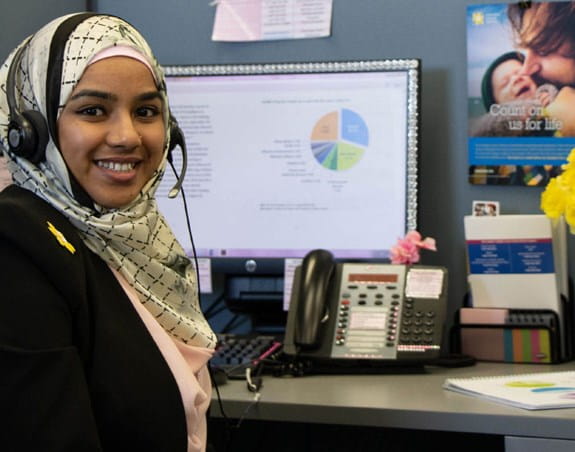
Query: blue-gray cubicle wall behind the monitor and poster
432, 30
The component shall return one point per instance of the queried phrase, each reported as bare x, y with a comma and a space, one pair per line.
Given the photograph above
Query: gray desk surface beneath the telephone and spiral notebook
408, 401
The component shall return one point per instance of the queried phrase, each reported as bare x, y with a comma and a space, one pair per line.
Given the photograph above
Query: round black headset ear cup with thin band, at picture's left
27, 130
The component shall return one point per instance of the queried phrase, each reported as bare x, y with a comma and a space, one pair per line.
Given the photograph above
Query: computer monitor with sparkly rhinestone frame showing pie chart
286, 158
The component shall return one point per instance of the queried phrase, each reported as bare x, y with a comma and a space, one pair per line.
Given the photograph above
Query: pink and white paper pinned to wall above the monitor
263, 20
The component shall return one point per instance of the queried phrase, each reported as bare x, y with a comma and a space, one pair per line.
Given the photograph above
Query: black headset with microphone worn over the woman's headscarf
29, 131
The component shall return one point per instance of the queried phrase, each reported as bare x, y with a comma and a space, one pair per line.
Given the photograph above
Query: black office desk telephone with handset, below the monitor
341, 312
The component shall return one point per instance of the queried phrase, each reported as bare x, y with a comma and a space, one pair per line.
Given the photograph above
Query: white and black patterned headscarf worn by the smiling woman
135, 239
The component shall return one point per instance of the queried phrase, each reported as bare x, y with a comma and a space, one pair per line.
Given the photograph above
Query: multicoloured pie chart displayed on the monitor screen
339, 139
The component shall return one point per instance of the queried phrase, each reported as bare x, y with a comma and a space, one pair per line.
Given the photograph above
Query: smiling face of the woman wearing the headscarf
111, 130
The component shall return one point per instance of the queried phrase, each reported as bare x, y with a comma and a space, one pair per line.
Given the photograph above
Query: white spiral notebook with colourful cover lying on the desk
536, 391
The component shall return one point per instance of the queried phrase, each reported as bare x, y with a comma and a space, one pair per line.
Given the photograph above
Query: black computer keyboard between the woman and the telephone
234, 353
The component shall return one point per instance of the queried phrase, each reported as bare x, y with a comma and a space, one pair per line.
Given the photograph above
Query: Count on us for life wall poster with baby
521, 91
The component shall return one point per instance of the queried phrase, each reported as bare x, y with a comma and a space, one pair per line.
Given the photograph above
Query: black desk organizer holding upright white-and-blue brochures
519, 263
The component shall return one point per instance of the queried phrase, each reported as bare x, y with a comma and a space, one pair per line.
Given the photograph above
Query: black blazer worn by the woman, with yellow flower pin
78, 369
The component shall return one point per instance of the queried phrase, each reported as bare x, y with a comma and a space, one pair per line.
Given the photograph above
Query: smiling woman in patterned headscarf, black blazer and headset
102, 342
